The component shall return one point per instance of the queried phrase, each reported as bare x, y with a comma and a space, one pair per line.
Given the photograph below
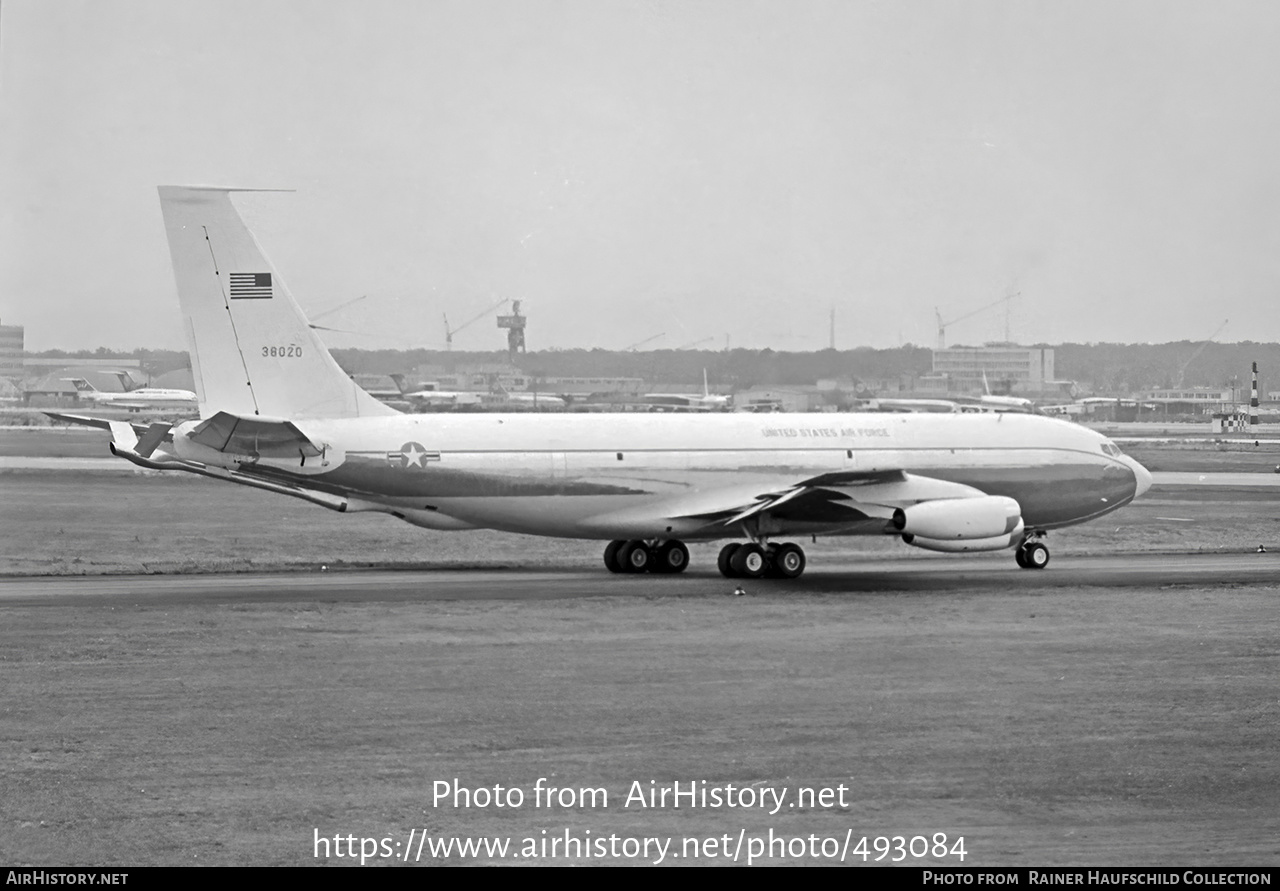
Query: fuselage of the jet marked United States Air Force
625, 476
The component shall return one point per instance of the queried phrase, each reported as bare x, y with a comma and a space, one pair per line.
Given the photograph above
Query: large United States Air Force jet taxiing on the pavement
278, 414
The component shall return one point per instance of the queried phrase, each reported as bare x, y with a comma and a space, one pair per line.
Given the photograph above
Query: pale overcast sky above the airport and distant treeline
698, 173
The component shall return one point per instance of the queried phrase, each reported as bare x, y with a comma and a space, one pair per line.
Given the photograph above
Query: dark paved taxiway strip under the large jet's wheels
991, 574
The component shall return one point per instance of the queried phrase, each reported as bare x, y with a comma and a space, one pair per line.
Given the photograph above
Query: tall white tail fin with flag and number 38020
253, 351
